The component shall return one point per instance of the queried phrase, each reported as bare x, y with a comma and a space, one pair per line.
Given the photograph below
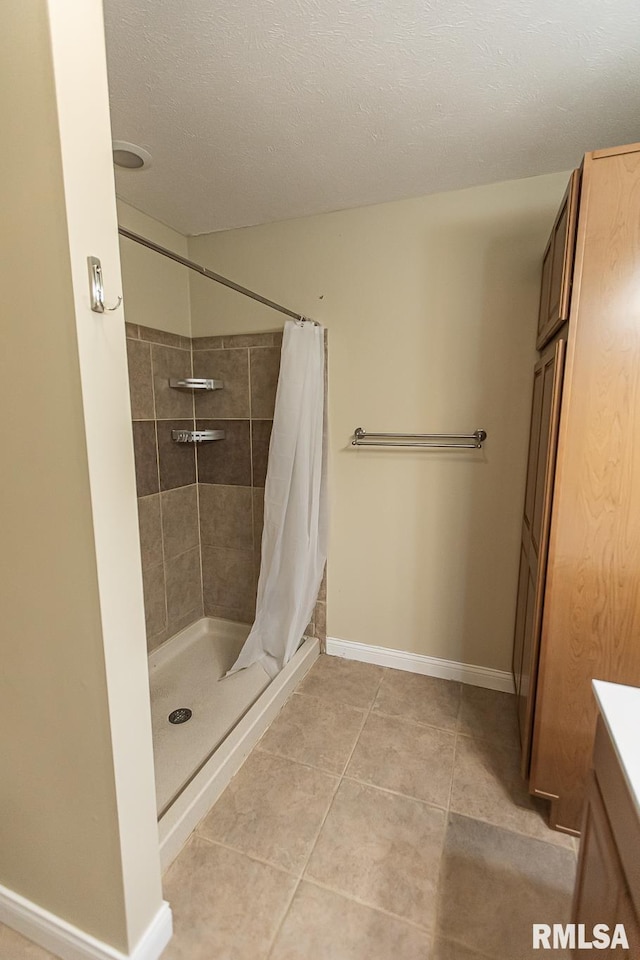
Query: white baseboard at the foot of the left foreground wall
54, 934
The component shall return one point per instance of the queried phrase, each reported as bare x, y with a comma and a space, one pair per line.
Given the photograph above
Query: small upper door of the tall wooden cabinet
557, 265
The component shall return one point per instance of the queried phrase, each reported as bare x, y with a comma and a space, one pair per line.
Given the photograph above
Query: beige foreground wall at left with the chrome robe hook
77, 811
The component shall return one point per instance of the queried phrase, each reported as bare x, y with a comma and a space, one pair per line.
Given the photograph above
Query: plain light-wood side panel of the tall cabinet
591, 621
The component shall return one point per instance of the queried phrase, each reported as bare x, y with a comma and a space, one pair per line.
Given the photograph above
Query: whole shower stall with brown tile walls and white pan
202, 418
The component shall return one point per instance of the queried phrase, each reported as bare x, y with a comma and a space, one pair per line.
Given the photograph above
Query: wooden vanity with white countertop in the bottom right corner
608, 880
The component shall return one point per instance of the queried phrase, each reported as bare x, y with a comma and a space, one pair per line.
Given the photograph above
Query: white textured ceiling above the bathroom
261, 110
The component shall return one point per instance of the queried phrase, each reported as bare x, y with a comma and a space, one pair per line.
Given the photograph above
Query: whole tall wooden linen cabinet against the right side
578, 606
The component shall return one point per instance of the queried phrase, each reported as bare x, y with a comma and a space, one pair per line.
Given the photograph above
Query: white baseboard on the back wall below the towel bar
419, 663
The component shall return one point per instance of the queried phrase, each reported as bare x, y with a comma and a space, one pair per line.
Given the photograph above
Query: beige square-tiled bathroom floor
381, 817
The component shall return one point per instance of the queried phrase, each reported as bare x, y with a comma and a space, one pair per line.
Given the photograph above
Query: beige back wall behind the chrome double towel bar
431, 308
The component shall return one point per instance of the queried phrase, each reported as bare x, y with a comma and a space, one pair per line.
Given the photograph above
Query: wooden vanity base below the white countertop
604, 891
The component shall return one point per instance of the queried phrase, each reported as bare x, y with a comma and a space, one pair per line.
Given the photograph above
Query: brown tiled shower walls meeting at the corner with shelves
201, 509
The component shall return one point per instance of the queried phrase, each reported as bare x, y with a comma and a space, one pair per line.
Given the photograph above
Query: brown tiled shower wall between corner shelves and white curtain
231, 474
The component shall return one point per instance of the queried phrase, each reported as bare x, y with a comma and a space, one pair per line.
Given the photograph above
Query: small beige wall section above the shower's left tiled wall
156, 289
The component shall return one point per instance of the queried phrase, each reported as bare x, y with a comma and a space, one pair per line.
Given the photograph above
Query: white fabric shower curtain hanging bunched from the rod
294, 539
